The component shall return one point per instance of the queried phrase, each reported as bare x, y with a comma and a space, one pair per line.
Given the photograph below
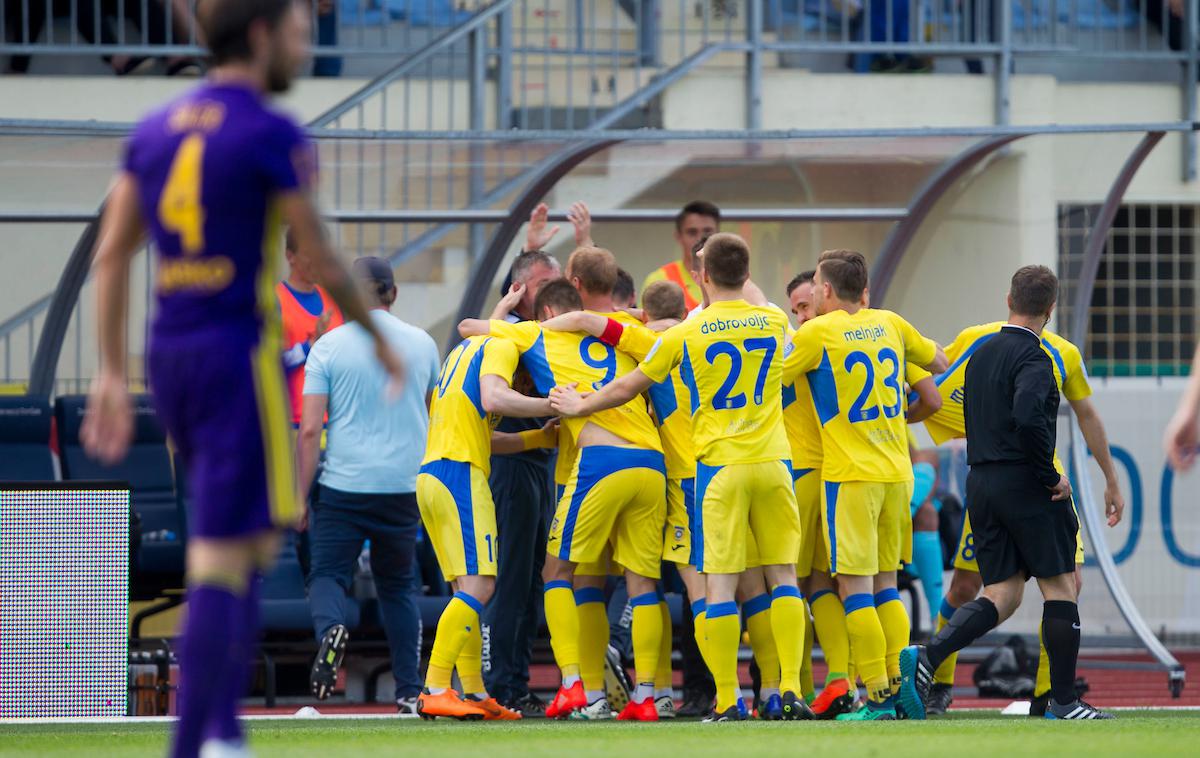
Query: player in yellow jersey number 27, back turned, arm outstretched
730, 358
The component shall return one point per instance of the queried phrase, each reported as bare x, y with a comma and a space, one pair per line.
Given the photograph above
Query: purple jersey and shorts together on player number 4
211, 169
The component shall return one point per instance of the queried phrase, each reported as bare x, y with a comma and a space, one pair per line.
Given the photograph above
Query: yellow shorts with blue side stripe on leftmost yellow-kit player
460, 518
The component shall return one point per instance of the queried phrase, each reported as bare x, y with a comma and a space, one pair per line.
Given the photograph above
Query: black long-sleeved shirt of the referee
1012, 404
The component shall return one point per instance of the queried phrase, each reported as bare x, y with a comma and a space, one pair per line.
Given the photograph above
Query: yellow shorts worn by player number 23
868, 527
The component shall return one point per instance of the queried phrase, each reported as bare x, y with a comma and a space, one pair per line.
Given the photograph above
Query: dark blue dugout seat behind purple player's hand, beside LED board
148, 470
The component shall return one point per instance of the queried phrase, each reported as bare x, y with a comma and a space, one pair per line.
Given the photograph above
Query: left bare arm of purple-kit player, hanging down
109, 424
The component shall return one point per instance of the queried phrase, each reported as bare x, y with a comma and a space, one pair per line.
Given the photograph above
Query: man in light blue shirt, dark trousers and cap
368, 486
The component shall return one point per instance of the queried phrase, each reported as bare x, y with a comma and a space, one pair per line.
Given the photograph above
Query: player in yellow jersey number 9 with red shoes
617, 492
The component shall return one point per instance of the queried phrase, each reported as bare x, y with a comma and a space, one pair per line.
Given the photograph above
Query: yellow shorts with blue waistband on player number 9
615, 495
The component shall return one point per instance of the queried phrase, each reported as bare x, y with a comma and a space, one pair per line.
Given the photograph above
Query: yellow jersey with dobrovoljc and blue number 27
730, 357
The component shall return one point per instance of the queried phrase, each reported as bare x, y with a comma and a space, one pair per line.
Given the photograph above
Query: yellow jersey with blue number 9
556, 358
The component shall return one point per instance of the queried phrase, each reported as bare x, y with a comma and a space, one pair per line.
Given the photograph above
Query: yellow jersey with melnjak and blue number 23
855, 368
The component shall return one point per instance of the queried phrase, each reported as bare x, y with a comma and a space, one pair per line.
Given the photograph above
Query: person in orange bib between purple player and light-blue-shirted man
307, 314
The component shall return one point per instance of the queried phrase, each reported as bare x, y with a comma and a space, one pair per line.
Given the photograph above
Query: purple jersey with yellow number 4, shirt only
209, 169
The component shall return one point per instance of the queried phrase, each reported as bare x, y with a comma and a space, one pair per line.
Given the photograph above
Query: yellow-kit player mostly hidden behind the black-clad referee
947, 424
